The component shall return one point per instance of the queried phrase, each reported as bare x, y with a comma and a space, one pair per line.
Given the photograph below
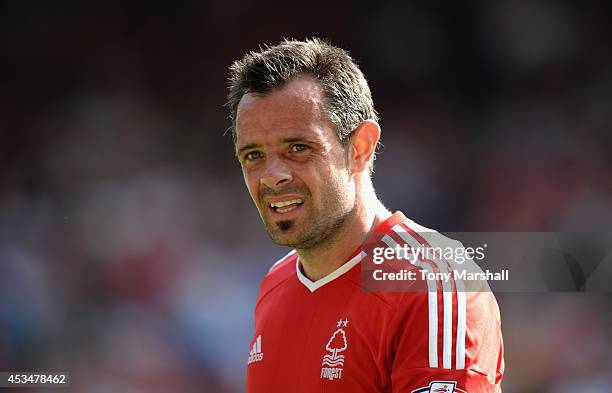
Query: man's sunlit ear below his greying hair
363, 143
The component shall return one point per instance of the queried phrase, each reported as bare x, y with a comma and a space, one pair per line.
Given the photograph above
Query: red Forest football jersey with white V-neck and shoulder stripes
333, 336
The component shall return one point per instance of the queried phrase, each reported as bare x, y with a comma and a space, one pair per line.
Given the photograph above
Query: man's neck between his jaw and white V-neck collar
322, 260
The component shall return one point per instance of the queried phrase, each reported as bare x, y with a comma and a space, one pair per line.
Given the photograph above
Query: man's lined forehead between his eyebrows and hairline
297, 107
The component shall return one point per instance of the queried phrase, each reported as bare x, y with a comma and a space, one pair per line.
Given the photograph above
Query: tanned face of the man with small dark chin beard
294, 164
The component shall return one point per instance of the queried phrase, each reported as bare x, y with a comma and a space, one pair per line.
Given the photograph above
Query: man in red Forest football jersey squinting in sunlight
305, 133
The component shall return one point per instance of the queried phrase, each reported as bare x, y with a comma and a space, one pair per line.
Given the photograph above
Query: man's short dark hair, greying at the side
347, 97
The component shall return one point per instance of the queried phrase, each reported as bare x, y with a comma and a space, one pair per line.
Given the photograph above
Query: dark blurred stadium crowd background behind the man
130, 252
